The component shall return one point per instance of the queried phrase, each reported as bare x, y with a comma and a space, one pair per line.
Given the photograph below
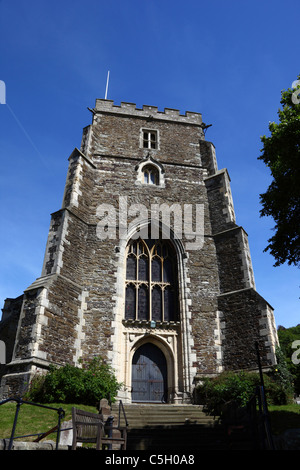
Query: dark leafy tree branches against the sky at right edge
281, 153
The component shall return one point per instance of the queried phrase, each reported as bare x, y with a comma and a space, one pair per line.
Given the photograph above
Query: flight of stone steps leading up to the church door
165, 427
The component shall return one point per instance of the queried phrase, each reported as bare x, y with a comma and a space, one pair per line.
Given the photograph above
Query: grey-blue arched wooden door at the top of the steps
149, 375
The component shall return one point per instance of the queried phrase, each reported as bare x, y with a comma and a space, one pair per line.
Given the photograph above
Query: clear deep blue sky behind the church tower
227, 60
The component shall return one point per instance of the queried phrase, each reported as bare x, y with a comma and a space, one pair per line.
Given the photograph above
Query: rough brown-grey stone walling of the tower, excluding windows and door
75, 309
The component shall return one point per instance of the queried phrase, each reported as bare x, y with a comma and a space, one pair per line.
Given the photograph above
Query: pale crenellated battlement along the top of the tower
130, 109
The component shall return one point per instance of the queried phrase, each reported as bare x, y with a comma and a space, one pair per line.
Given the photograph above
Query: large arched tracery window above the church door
151, 281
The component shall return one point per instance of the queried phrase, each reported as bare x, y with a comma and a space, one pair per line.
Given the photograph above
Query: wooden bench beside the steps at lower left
90, 428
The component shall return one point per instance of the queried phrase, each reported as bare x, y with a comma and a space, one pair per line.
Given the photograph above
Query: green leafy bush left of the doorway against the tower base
70, 384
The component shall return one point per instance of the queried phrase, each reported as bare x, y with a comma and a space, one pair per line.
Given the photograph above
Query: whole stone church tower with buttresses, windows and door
144, 265
